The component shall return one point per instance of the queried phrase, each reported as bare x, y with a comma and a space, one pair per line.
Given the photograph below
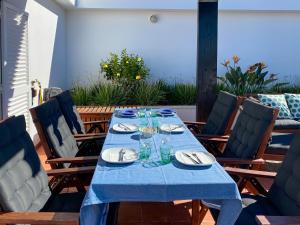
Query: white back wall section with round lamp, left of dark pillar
168, 47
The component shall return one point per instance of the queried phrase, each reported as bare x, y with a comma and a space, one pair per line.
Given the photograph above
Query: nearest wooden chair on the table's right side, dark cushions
279, 205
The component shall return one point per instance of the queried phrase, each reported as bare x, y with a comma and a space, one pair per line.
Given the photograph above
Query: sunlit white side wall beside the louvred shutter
46, 36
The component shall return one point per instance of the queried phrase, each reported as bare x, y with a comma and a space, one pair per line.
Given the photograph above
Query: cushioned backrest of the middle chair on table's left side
54, 132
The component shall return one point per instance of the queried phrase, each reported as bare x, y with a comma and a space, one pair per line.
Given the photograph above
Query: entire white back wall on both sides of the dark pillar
169, 47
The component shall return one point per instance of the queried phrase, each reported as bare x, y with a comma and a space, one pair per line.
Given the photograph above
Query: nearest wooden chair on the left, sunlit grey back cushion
26, 196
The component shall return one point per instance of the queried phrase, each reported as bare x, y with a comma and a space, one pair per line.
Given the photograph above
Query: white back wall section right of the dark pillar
271, 37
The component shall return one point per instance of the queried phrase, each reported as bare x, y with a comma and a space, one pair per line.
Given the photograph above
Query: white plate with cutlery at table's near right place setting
206, 158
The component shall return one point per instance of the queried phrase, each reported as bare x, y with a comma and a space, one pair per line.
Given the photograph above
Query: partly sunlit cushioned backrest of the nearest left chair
23, 181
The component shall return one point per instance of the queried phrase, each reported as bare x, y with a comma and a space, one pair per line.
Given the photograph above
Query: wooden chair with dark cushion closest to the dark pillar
221, 118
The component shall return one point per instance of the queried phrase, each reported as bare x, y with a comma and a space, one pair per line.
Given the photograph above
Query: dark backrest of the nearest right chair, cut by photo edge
285, 191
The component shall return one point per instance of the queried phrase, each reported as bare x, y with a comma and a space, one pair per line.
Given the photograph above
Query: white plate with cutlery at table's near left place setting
111, 155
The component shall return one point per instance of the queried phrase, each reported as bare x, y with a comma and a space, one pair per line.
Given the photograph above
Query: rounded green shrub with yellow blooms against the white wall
124, 68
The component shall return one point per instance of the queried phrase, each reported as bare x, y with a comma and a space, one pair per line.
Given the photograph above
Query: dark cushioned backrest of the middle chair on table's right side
252, 131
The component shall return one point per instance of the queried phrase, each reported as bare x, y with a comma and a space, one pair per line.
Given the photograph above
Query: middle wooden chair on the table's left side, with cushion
57, 140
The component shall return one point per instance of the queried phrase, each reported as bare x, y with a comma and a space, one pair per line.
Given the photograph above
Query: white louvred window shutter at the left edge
16, 90
